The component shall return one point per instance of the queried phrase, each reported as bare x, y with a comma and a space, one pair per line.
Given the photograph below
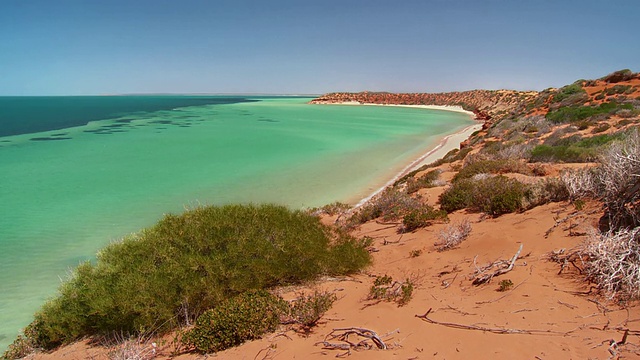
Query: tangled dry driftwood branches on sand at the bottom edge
342, 335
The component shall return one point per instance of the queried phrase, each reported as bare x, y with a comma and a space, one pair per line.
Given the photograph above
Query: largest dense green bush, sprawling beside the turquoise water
185, 264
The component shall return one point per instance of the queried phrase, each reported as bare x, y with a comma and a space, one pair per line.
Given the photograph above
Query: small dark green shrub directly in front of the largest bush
244, 317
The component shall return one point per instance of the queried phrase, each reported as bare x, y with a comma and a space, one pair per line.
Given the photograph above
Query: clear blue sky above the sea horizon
81, 47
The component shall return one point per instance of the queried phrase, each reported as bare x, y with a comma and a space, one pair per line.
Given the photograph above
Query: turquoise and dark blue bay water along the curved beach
68, 191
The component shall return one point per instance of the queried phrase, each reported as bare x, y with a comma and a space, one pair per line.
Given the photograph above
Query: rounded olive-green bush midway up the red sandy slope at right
494, 195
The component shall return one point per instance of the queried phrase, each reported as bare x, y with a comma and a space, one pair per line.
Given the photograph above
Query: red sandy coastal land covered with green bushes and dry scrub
522, 243
